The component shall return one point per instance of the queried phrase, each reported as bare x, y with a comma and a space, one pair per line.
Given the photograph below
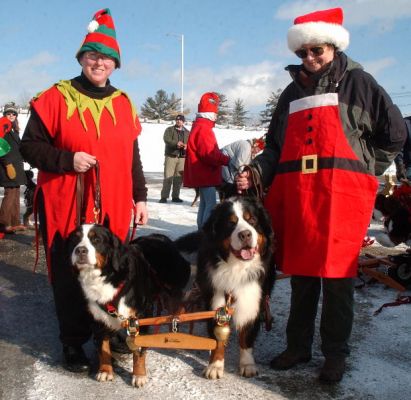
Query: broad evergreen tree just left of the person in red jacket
162, 106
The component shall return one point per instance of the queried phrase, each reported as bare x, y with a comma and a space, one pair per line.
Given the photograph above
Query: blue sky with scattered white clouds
236, 47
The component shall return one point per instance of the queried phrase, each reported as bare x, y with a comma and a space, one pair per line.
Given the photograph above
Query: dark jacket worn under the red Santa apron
373, 125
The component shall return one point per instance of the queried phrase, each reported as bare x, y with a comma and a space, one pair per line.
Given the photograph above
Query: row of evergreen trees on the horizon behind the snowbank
166, 107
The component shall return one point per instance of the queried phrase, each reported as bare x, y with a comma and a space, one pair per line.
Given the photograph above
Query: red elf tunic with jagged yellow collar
105, 128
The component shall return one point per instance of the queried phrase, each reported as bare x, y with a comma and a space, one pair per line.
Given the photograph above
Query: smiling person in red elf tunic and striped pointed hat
80, 129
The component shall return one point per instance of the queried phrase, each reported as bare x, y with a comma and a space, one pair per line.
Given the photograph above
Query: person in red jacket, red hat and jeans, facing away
204, 160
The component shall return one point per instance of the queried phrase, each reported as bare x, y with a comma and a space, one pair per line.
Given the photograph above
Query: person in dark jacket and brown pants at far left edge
12, 174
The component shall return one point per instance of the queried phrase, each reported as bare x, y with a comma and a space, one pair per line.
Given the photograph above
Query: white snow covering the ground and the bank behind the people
379, 366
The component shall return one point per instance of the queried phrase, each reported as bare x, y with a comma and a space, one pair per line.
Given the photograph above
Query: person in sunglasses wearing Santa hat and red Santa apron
334, 128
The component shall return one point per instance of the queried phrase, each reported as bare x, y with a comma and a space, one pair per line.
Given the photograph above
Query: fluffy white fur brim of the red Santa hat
317, 33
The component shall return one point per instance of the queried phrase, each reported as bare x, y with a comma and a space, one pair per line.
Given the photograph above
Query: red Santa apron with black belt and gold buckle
322, 197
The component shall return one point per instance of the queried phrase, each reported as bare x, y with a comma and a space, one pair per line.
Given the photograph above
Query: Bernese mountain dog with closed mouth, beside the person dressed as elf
122, 282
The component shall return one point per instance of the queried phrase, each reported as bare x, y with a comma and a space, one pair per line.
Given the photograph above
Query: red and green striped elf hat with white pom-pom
101, 37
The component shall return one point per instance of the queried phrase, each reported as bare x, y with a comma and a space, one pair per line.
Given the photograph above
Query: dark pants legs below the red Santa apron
336, 316
